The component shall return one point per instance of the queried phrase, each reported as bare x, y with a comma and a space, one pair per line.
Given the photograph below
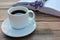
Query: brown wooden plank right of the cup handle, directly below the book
45, 17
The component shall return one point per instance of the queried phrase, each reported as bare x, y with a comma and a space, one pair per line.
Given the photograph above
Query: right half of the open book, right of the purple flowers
51, 7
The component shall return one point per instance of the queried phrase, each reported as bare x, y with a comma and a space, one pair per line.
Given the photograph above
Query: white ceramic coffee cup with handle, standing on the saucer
19, 21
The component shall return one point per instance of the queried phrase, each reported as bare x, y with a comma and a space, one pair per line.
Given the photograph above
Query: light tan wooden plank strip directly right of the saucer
54, 26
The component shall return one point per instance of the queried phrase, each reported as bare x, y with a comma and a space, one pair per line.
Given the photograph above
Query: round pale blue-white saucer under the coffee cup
9, 31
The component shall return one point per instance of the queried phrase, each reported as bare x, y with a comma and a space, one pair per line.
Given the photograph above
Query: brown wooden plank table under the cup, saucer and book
48, 27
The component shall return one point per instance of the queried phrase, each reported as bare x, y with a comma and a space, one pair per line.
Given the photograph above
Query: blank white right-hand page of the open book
54, 4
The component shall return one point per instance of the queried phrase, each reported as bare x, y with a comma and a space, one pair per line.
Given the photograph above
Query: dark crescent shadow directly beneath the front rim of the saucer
28, 37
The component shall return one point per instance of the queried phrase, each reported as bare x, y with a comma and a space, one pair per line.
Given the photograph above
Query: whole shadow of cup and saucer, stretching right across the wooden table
35, 34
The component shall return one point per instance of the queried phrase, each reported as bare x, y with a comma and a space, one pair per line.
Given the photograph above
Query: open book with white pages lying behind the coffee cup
50, 6
